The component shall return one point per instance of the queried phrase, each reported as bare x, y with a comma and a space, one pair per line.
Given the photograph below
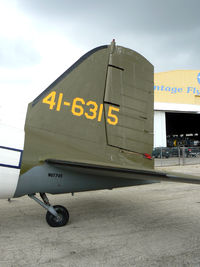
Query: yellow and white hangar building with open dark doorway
177, 108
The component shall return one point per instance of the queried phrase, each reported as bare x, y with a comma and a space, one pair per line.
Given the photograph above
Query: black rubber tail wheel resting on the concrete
62, 218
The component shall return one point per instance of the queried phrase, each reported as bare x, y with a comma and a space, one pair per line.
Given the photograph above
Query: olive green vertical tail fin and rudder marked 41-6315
99, 111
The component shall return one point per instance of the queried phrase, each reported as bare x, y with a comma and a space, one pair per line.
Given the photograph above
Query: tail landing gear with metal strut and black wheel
56, 216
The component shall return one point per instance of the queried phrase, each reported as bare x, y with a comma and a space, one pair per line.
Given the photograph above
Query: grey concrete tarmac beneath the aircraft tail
150, 225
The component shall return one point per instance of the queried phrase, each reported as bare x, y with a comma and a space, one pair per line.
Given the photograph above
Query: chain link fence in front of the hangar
174, 156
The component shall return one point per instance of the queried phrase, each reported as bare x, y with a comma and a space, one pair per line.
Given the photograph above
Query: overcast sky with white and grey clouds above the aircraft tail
40, 39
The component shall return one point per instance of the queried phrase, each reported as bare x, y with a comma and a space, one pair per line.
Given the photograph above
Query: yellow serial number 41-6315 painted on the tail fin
94, 111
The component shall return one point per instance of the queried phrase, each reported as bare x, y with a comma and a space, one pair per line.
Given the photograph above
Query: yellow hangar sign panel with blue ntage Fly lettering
179, 86
